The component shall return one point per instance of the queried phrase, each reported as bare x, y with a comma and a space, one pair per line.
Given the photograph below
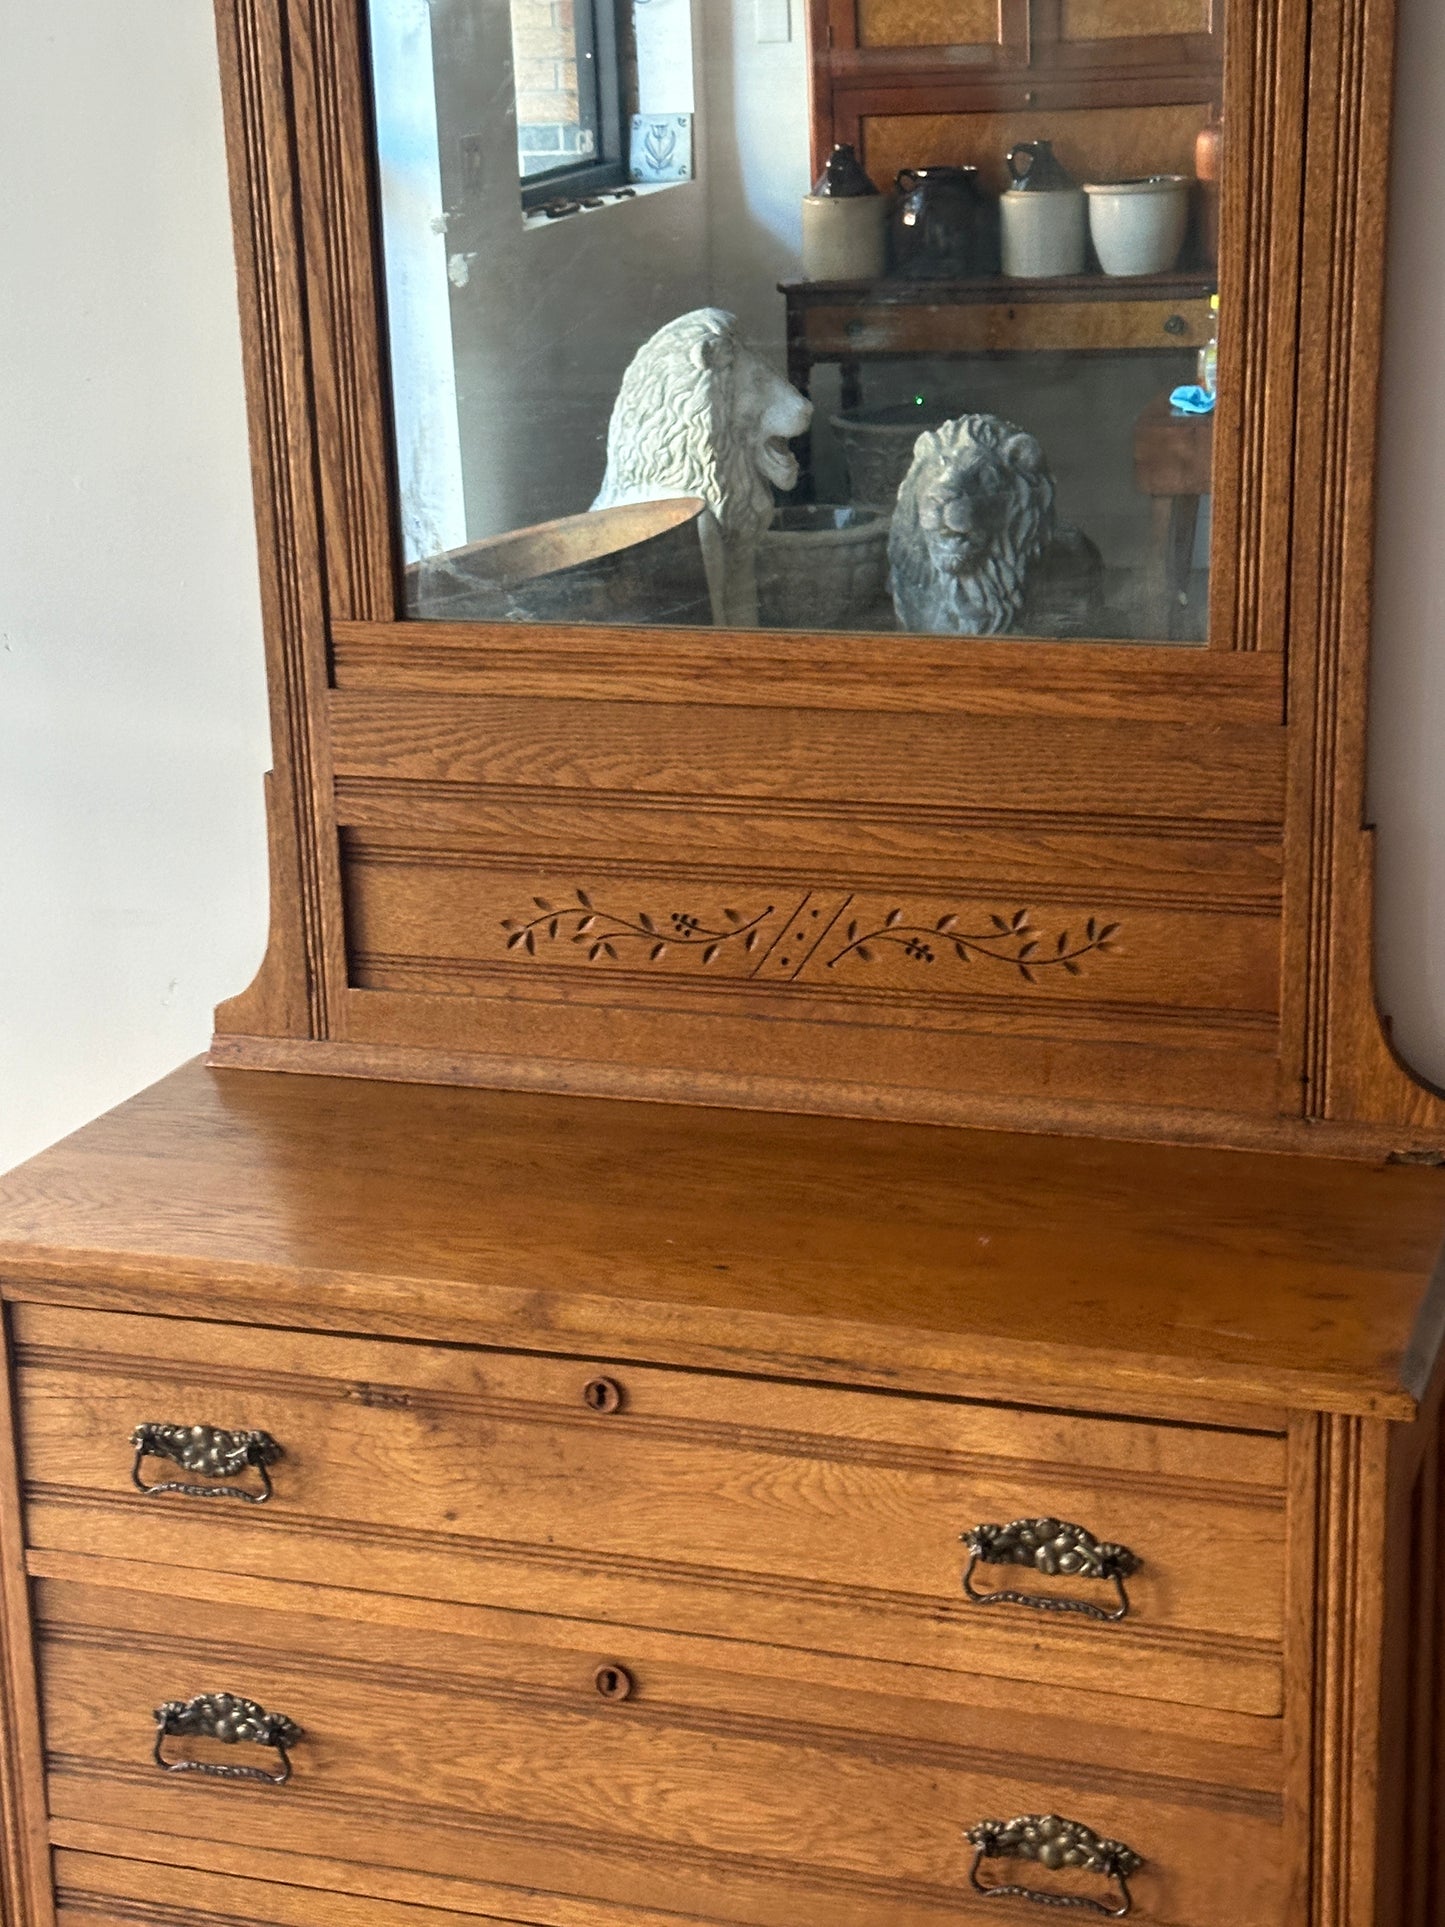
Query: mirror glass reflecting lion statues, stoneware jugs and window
683, 340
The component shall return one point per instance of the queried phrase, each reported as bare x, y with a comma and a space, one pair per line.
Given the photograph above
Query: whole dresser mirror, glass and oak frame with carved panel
658, 801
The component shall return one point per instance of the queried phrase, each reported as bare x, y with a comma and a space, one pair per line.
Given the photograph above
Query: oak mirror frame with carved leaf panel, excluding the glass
1032, 885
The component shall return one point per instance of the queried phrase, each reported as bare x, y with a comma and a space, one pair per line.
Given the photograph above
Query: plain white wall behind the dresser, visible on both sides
132, 726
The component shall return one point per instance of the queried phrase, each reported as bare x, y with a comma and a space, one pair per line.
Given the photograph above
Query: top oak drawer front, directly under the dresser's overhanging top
743, 1508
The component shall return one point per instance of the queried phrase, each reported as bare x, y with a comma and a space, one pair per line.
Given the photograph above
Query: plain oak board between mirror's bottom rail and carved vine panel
1090, 768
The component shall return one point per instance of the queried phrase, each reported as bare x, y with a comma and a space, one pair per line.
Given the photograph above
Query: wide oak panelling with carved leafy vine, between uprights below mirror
930, 903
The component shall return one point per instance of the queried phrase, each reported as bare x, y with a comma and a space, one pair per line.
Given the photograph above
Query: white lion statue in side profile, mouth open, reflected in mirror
702, 415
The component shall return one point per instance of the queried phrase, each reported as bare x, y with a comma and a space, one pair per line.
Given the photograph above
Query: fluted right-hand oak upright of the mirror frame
1338, 1059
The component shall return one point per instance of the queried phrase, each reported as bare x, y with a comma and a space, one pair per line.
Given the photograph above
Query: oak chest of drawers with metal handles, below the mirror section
442, 1504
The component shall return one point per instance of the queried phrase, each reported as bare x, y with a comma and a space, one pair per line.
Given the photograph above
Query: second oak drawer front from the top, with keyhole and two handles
652, 1774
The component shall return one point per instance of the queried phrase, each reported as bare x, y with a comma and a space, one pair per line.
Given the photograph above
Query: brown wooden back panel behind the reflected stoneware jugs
1093, 144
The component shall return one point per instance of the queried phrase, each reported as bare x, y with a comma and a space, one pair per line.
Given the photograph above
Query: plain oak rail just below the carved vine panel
935, 1067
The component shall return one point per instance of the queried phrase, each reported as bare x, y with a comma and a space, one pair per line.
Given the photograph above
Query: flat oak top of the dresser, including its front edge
880, 1254
